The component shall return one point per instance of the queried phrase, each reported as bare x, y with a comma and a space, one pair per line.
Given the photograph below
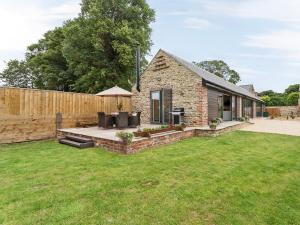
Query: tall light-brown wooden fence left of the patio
30, 114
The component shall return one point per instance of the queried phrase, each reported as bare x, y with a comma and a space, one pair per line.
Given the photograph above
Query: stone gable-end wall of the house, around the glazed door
187, 90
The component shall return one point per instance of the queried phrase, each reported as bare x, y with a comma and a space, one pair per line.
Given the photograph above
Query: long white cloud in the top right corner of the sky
279, 10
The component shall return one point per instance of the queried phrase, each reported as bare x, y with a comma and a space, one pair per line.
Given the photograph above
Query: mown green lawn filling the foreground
237, 178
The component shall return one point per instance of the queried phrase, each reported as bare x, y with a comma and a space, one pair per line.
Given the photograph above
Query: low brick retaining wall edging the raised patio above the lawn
157, 140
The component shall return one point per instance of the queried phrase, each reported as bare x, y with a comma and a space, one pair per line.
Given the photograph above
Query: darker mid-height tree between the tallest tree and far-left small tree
48, 64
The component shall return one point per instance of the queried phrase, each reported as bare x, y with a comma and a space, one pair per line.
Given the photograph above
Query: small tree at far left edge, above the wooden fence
17, 74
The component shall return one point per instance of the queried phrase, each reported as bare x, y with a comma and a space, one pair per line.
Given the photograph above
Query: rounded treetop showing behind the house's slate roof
221, 69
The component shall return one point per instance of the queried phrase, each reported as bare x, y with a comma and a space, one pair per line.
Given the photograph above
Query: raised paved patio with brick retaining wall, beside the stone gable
106, 138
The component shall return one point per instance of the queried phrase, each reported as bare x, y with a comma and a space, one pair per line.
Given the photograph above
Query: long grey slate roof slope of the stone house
211, 78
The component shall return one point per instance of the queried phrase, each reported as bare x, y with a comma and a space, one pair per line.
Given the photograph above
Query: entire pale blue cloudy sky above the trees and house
258, 38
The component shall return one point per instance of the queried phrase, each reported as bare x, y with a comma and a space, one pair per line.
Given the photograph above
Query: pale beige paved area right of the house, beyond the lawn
289, 127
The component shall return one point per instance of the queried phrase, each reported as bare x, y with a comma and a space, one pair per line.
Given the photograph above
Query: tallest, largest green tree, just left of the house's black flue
100, 45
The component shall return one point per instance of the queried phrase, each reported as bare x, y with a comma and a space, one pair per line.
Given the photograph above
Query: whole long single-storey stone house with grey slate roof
170, 83
